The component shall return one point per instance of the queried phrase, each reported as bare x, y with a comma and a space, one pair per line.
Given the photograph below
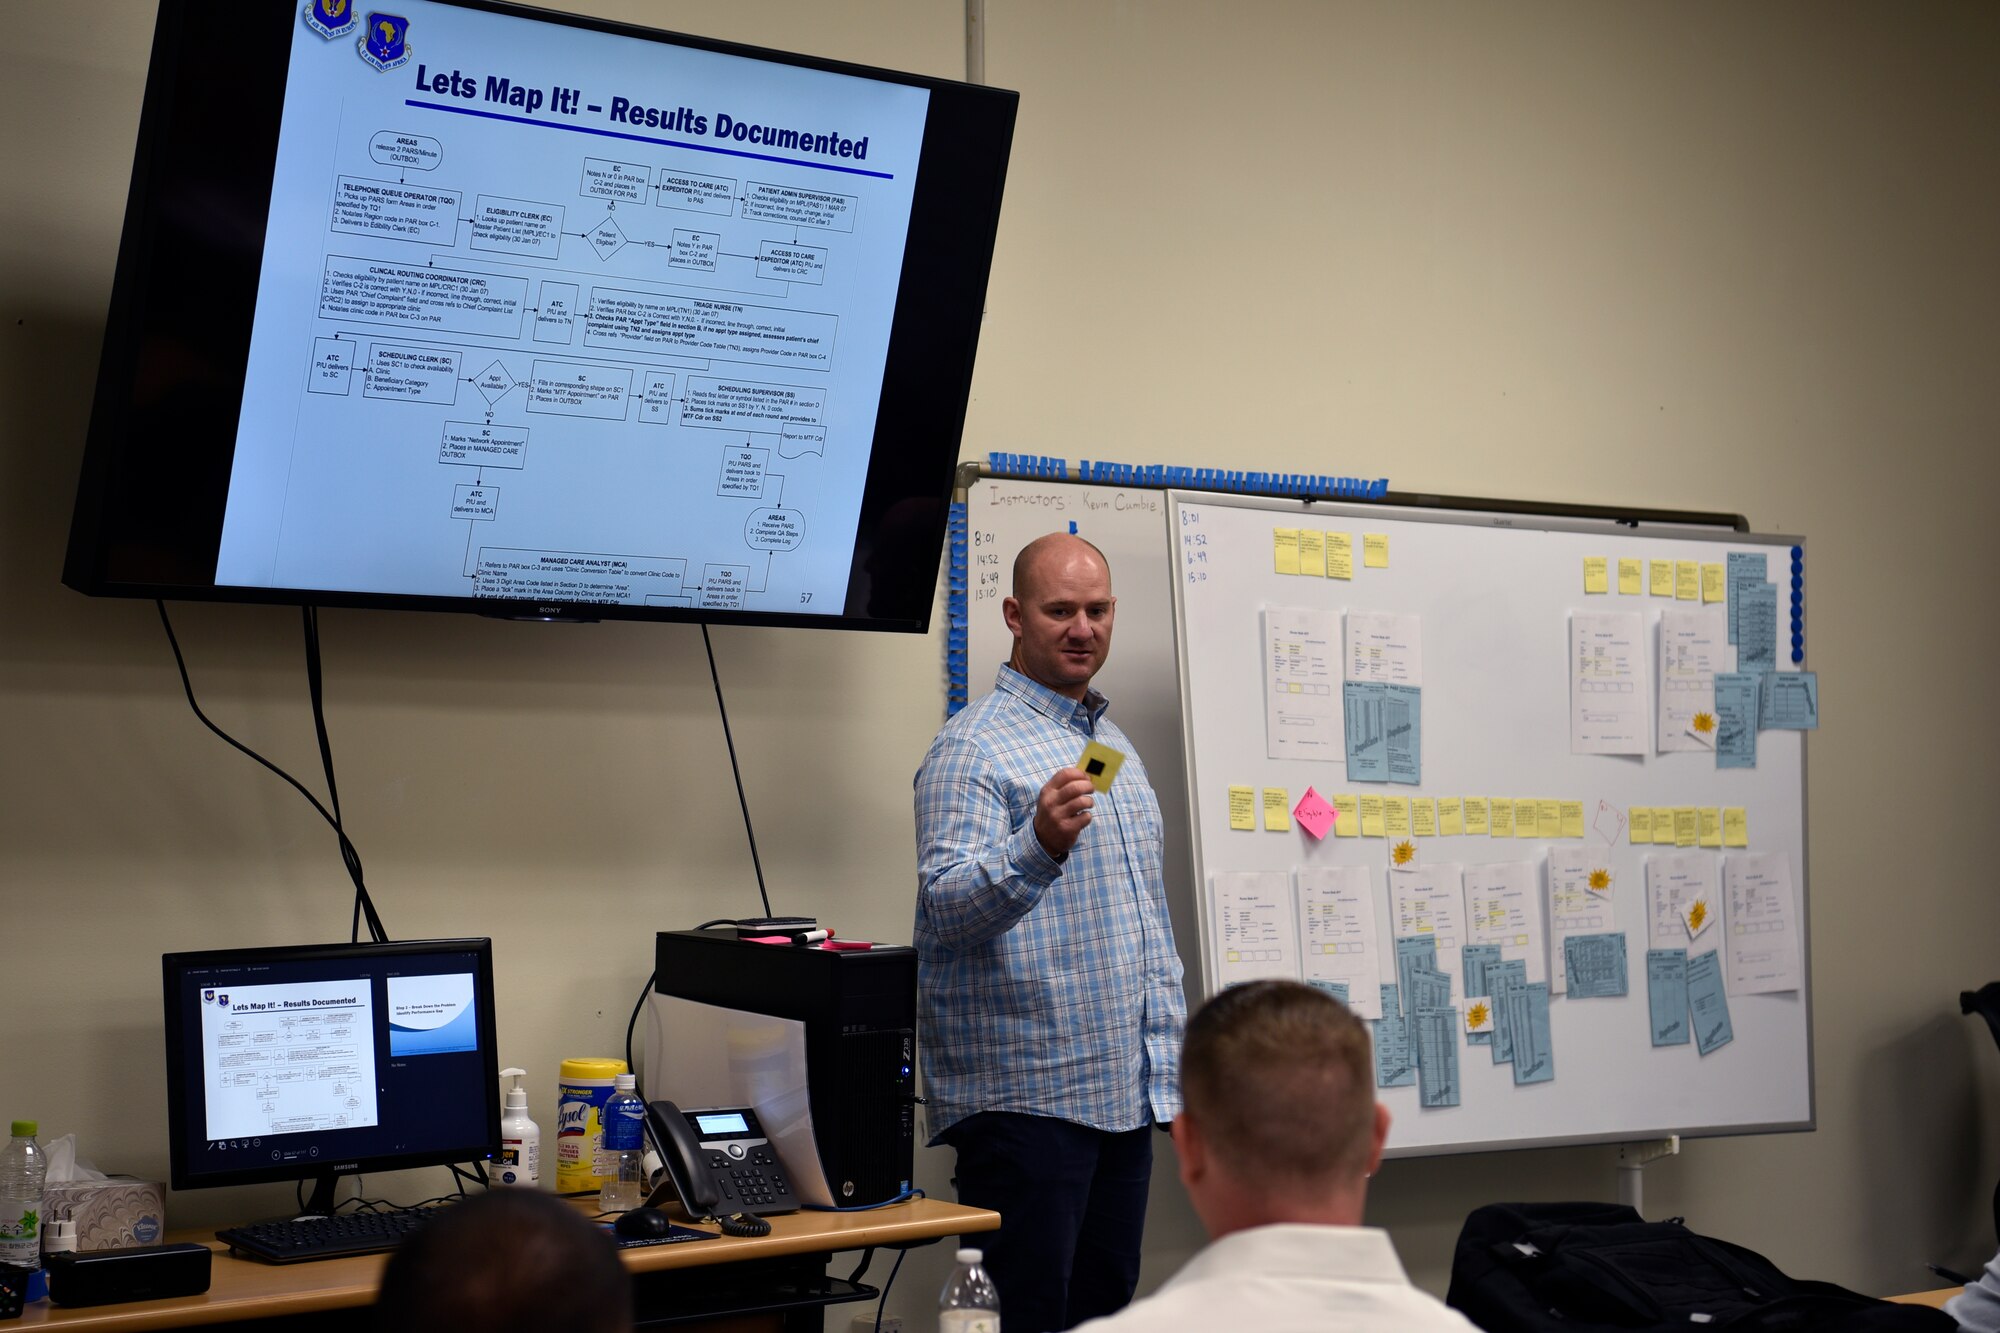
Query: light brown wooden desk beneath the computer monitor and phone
671, 1280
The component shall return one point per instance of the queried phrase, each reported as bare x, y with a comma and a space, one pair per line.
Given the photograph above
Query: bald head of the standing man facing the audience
1061, 613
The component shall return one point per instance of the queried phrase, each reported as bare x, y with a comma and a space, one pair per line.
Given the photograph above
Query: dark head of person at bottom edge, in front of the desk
501, 1262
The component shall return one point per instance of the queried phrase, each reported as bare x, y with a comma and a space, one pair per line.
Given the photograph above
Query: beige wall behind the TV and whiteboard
1695, 255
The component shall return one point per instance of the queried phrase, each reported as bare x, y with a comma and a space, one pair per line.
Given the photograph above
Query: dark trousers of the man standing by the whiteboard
1073, 1206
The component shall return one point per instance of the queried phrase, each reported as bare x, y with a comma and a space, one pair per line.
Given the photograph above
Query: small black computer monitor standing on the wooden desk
315, 1062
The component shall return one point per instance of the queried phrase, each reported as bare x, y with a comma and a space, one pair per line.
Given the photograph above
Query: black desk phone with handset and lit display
721, 1164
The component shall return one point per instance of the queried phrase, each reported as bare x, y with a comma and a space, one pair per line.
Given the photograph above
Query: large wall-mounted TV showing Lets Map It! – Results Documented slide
471, 307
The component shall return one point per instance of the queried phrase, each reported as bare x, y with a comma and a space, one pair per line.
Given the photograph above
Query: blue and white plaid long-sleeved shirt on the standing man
1047, 988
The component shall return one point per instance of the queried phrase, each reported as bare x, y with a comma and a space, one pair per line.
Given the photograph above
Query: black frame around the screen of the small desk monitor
177, 1038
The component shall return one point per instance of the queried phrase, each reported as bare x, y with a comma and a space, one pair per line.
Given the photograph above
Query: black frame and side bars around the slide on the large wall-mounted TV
149, 511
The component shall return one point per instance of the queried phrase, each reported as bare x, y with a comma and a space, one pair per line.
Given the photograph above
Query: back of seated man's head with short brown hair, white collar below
1281, 1120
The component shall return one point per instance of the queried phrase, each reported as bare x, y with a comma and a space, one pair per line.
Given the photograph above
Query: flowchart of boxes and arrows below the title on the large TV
645, 335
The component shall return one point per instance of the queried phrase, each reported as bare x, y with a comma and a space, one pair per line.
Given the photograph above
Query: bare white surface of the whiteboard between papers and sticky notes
1495, 595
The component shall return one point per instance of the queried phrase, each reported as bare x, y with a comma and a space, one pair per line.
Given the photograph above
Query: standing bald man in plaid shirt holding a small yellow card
1049, 988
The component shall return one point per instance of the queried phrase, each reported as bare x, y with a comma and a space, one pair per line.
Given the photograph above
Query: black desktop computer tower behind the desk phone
819, 1042
